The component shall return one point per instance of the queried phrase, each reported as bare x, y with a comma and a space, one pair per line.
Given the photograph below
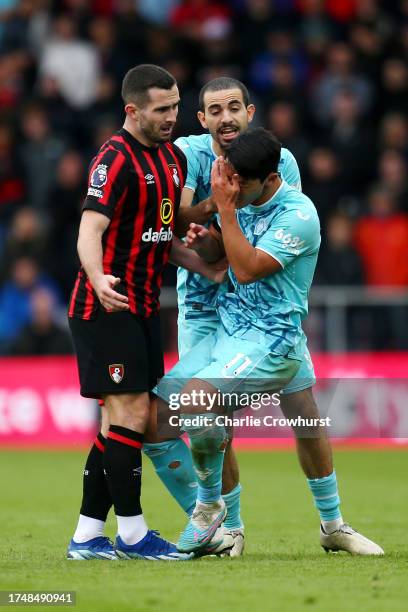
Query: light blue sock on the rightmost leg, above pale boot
327, 501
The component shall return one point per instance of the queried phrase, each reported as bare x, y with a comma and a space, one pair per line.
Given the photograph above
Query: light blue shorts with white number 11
229, 364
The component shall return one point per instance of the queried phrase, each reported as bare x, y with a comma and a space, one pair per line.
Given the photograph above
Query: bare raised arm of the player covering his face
248, 263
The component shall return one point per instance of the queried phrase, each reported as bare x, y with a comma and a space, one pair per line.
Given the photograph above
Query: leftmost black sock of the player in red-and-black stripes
96, 499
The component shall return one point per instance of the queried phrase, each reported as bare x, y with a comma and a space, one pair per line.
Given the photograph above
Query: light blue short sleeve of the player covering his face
292, 233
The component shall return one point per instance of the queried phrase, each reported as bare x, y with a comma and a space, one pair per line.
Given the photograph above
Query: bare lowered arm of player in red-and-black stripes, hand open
91, 229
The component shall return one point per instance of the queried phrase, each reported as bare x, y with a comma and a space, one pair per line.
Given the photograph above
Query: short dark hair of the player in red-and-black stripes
140, 79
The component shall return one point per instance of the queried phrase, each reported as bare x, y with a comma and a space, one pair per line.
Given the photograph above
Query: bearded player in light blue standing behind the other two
226, 111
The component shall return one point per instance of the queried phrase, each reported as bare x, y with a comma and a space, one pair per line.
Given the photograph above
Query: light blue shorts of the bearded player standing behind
193, 327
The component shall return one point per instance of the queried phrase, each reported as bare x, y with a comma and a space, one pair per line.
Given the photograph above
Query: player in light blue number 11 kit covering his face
271, 245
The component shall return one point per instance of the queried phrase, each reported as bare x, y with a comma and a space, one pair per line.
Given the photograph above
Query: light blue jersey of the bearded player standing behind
197, 294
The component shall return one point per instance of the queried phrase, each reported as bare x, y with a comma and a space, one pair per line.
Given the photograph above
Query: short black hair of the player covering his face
254, 154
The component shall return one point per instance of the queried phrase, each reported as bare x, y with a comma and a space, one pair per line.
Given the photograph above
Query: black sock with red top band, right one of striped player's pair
122, 462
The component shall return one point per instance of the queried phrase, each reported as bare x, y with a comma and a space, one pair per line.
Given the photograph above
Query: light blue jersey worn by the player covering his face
270, 311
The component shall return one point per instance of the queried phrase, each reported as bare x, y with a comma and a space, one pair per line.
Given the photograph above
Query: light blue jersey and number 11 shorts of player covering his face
259, 344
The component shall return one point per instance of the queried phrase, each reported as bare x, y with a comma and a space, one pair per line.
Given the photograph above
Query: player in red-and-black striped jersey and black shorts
125, 239
